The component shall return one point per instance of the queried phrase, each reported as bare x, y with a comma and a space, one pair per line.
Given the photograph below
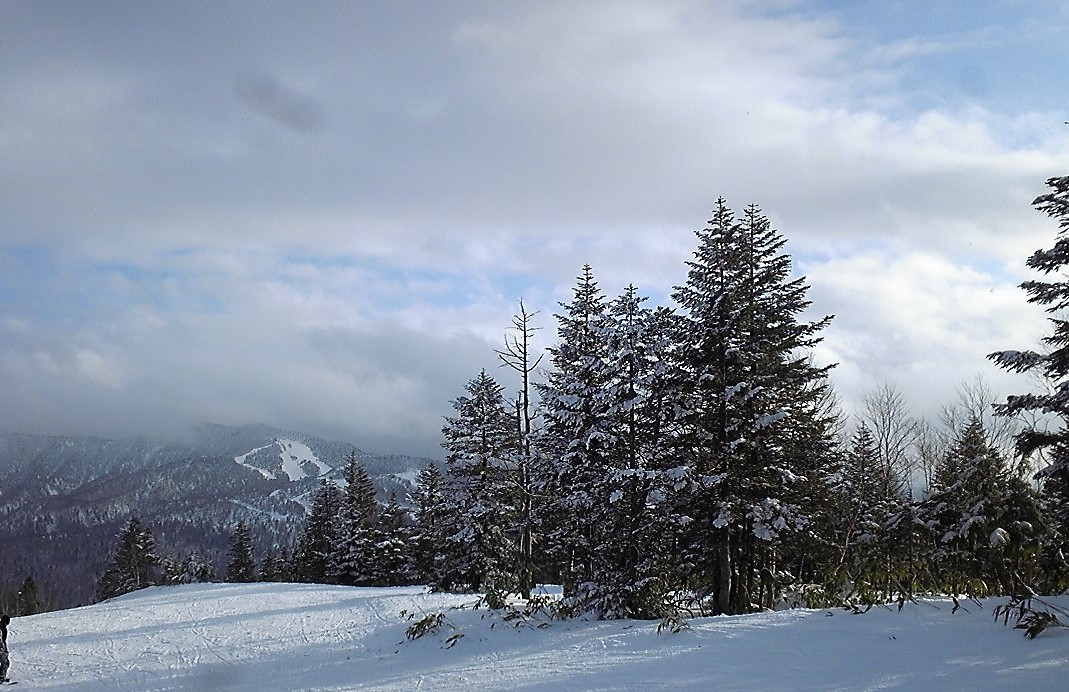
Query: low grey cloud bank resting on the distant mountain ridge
380, 385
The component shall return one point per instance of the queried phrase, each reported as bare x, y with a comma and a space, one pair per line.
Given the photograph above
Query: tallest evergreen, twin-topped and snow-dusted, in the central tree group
745, 390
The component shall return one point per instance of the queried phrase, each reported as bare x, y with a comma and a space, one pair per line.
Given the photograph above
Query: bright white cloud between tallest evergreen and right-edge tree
921, 320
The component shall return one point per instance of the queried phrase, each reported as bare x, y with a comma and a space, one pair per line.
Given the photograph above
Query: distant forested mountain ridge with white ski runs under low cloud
64, 500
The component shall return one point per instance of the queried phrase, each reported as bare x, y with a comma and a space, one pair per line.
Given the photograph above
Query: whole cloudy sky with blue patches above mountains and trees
322, 217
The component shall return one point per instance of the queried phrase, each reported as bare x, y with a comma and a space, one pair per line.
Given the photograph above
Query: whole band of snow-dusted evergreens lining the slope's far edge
662, 463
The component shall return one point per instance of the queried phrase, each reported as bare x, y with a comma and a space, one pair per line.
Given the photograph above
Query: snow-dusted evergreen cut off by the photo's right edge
1051, 443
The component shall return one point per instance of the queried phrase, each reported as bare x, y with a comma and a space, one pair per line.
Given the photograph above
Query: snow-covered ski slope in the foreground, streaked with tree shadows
284, 637
